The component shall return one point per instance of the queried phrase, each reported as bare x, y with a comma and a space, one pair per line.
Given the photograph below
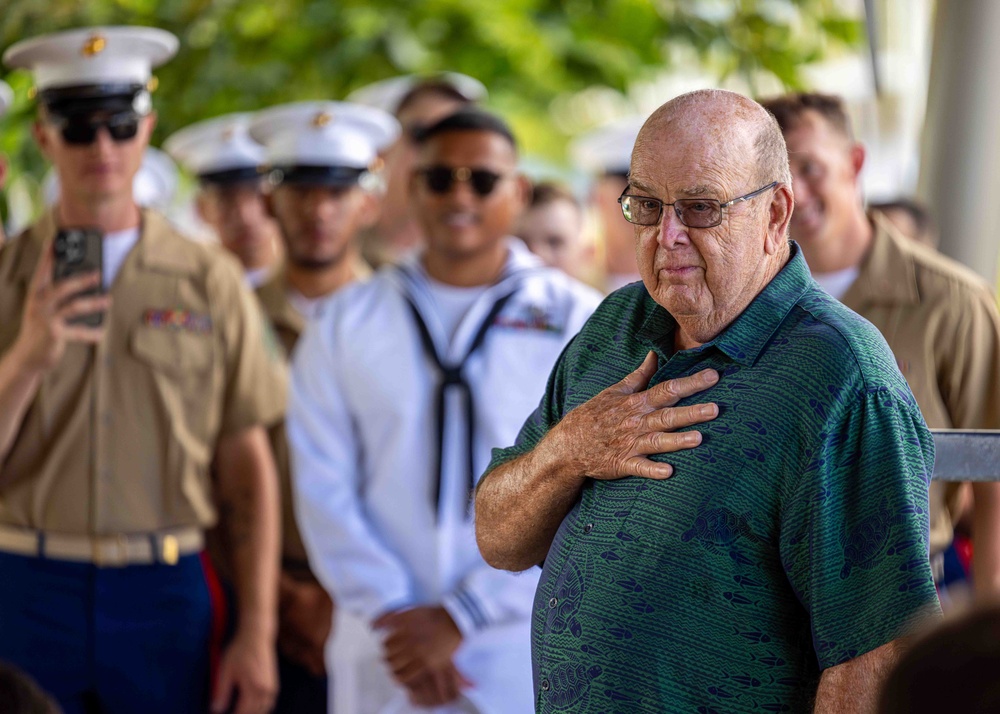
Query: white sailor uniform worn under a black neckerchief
381, 532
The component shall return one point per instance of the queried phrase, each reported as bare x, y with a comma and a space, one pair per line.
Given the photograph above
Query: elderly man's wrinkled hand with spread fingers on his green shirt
613, 434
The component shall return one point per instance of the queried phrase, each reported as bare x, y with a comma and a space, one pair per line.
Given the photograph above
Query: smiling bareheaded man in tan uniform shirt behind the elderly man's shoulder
939, 318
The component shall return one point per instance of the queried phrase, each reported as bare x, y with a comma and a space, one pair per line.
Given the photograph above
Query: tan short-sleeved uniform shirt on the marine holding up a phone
120, 437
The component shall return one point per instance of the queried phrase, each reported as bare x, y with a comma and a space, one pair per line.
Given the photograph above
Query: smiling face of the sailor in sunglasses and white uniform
458, 221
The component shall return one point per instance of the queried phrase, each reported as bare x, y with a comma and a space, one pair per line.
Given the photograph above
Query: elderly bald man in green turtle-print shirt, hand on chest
775, 554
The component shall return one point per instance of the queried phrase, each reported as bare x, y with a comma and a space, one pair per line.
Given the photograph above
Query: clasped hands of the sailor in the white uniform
421, 642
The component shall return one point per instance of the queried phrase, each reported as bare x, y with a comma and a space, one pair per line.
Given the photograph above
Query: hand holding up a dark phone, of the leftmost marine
44, 328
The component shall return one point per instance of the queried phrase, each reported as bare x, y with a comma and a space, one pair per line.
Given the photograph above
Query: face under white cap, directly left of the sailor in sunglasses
318, 223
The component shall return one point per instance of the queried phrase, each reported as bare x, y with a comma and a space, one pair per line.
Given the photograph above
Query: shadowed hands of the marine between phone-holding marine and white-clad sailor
305, 618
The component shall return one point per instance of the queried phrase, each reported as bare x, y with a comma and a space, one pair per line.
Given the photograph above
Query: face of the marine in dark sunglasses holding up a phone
99, 170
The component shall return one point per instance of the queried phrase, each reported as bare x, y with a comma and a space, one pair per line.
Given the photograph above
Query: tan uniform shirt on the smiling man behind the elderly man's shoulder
941, 322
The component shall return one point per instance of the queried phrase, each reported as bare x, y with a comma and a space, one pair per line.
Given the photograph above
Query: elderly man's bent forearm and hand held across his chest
520, 504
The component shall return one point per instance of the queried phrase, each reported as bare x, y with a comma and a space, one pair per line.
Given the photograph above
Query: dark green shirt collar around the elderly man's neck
749, 333
